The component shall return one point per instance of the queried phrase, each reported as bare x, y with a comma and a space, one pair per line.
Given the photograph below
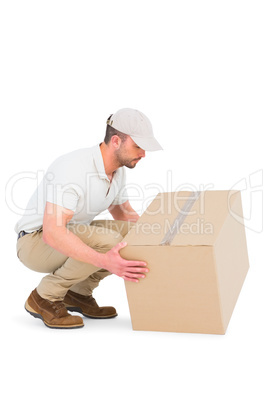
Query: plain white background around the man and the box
198, 69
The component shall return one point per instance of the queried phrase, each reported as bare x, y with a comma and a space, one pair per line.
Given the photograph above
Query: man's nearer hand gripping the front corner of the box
126, 269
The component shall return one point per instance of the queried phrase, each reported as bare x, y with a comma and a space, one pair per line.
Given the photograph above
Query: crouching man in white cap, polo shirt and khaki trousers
58, 236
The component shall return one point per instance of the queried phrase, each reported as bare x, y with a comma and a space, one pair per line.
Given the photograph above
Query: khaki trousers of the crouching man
66, 273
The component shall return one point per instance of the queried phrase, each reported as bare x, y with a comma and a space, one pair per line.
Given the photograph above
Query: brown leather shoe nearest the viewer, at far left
53, 314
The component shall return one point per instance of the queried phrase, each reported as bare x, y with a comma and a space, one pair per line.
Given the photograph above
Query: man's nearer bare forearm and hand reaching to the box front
57, 235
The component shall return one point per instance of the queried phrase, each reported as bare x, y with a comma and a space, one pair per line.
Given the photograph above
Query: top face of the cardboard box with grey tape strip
168, 213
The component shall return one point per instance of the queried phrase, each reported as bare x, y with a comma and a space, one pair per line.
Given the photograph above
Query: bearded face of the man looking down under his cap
129, 153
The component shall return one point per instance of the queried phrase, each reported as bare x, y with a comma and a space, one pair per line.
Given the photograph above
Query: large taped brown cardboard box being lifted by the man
195, 247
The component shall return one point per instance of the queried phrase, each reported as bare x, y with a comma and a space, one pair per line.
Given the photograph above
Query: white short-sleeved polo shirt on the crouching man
76, 181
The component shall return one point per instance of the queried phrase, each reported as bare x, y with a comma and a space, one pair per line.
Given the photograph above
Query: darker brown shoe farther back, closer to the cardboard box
87, 306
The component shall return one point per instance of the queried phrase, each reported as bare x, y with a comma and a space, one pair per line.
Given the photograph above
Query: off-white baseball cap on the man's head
135, 124
